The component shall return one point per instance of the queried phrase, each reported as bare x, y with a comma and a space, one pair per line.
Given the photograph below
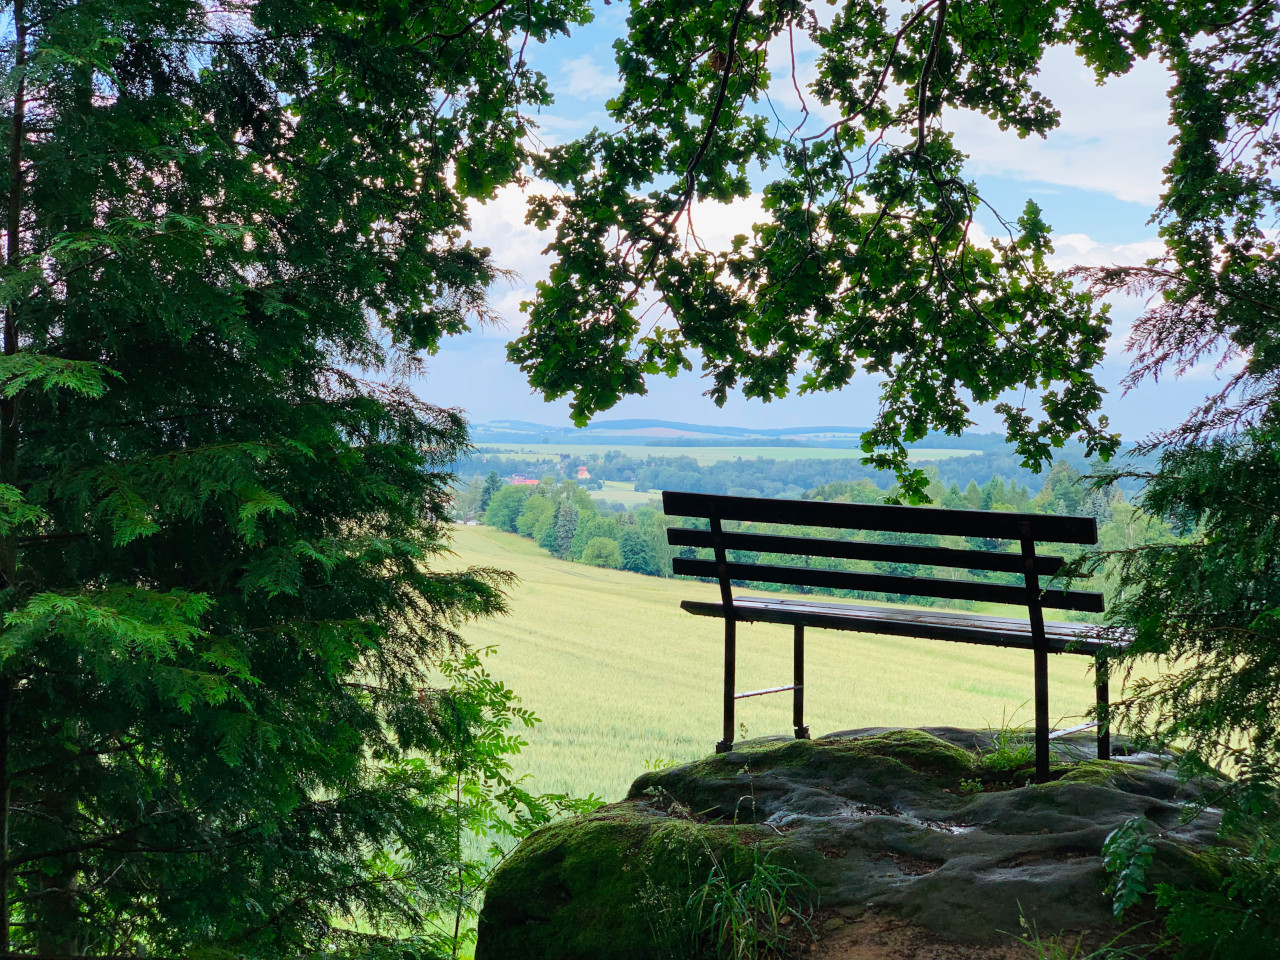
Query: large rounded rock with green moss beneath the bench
877, 820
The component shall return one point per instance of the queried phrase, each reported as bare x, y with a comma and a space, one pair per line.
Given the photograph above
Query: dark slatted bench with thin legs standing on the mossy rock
1032, 634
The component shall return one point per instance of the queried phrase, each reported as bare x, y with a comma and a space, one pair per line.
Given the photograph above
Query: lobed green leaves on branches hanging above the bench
865, 258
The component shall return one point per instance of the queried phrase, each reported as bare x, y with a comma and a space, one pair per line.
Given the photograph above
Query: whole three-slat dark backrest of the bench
1027, 529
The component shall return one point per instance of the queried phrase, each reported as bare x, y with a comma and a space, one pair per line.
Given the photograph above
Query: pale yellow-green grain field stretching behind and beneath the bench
621, 676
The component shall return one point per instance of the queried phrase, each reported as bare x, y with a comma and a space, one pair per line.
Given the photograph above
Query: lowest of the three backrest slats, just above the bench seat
889, 584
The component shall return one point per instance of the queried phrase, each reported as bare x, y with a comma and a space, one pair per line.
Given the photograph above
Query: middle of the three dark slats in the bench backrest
861, 550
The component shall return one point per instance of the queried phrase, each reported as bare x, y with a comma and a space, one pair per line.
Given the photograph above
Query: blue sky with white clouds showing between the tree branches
1098, 180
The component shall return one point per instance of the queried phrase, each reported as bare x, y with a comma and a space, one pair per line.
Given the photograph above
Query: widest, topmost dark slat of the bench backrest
875, 516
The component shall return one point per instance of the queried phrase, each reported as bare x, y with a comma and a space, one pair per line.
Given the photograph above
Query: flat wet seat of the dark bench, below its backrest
935, 625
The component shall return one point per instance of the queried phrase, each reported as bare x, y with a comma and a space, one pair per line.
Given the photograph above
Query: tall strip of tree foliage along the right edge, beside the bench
1204, 610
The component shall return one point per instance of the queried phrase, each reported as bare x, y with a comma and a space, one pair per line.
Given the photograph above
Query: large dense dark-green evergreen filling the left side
228, 232
